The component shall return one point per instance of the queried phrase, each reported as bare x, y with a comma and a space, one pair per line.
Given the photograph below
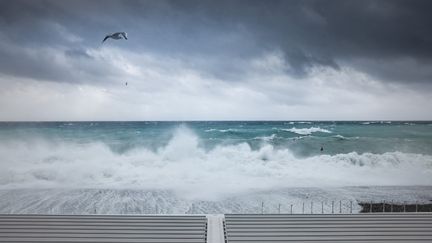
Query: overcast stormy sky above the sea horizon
216, 60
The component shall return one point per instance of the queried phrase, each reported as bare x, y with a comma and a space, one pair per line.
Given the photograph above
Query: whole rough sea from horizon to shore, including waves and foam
211, 167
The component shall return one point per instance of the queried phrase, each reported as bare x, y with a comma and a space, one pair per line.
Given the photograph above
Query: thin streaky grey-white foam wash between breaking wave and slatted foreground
127, 201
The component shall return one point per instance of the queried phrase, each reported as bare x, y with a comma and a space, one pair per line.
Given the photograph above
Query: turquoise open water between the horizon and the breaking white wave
303, 138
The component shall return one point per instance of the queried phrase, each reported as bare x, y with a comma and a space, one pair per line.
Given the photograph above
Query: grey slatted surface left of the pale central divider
102, 228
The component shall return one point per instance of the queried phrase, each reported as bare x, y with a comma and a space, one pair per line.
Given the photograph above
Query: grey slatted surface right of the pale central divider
358, 228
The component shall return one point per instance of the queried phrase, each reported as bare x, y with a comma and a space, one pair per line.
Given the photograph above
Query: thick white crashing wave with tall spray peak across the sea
184, 167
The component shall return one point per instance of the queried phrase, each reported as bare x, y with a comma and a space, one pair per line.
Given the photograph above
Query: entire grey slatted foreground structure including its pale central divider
230, 228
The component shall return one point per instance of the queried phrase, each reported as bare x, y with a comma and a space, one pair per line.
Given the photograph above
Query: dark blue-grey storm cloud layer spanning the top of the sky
391, 40
